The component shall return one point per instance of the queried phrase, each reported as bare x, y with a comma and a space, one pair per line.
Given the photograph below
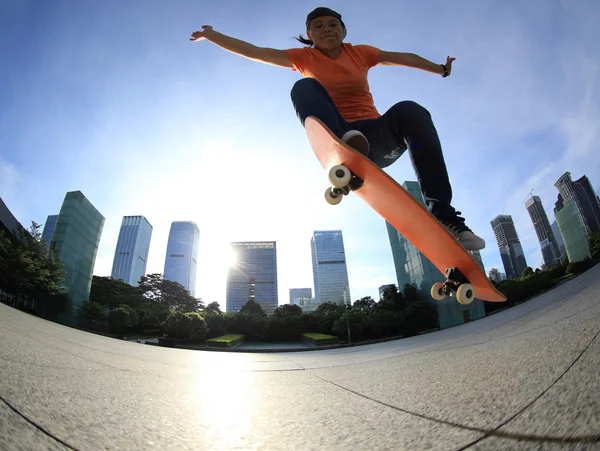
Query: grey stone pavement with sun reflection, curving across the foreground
525, 378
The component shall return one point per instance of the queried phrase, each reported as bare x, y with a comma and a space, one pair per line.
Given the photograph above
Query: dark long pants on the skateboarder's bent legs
406, 125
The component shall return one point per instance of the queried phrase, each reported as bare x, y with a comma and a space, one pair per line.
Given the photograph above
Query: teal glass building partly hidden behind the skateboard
413, 267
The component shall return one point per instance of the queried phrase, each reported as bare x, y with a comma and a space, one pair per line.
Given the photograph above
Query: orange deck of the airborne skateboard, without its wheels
401, 210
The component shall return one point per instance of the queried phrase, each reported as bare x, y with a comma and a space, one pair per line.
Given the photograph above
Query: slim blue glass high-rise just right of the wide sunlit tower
330, 273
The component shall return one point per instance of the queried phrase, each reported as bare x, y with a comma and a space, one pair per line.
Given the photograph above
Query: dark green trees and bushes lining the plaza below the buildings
33, 281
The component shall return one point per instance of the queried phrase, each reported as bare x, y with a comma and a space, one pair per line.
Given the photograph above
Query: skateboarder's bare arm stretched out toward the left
242, 48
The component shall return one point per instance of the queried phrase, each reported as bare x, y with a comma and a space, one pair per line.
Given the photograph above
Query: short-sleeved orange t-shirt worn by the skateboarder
344, 78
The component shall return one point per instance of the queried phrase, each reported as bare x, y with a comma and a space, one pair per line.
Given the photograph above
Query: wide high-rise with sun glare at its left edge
253, 276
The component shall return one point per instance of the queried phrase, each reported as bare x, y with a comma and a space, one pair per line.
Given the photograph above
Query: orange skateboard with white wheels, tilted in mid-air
350, 171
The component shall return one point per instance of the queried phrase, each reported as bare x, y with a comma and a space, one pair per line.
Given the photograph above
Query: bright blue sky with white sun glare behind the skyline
111, 98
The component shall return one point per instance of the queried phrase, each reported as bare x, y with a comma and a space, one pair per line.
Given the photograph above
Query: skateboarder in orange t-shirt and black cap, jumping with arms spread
335, 90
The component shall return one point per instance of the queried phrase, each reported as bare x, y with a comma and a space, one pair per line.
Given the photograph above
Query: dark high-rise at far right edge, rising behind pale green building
583, 195
